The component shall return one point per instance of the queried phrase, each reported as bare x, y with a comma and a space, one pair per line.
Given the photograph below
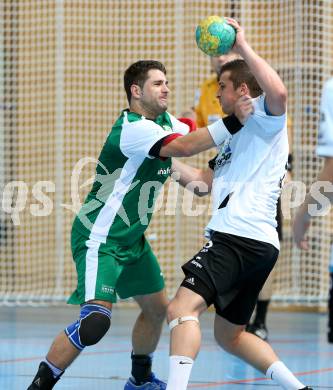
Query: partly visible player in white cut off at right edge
324, 149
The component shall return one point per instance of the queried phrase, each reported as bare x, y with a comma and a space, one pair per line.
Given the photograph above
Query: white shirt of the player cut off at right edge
325, 133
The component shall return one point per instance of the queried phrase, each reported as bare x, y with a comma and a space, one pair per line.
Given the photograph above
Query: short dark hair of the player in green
137, 74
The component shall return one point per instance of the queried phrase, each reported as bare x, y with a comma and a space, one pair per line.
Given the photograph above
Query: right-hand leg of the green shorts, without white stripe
142, 276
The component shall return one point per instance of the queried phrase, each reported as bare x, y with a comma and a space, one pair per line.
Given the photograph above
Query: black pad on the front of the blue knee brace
93, 328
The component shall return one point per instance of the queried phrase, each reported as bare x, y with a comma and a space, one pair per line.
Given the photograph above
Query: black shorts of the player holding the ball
229, 272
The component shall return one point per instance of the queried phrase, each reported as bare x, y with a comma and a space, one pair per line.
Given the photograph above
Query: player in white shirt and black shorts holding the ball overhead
245, 182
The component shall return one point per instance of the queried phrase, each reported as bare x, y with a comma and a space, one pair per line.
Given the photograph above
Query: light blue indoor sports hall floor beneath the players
26, 333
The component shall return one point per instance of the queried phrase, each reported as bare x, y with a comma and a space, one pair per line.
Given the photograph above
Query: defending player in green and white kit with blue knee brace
111, 254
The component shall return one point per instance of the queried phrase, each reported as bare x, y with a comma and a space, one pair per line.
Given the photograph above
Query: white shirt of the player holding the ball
248, 175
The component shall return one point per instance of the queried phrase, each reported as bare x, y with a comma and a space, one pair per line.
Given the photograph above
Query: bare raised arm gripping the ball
266, 76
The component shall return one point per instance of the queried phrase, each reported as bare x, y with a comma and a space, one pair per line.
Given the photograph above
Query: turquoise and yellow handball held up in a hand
215, 36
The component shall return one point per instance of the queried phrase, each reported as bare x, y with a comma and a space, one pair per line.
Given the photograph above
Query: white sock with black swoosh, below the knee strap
179, 372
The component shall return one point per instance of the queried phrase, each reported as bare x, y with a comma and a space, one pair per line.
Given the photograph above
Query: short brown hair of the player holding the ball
241, 73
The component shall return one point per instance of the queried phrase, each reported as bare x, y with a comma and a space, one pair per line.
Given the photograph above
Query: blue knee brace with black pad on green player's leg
94, 322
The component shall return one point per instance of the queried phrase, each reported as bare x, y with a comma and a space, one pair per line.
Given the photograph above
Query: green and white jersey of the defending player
120, 204
